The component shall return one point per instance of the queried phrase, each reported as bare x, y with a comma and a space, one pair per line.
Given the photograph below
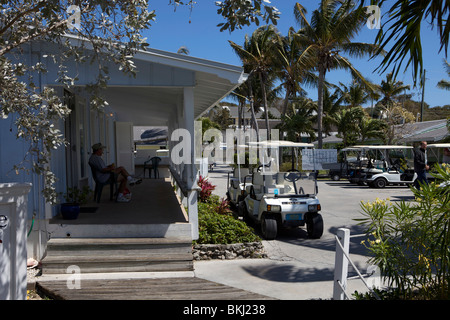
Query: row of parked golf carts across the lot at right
380, 165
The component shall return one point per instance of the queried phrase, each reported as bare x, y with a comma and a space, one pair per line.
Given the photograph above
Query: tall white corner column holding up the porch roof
188, 112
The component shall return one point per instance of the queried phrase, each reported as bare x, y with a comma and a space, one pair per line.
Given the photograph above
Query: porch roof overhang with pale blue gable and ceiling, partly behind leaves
154, 95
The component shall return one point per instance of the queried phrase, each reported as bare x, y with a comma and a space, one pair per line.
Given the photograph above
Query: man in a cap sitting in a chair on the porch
103, 173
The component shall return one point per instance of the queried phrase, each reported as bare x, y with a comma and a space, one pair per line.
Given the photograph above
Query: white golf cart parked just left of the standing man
388, 165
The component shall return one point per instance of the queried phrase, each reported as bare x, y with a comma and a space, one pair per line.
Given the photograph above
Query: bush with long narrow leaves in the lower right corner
411, 240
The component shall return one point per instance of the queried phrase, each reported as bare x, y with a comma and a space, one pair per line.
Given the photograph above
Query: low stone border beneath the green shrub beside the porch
249, 250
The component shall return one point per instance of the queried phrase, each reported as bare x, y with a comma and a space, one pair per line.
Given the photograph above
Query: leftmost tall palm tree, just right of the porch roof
258, 56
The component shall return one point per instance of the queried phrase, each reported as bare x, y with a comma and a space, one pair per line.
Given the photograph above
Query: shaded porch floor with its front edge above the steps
155, 211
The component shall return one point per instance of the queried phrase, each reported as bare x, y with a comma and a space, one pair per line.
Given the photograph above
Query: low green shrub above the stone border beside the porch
215, 228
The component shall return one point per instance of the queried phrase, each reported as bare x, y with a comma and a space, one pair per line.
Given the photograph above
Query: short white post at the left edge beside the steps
13, 236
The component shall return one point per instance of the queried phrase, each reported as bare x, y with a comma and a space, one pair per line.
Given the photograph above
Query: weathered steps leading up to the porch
100, 255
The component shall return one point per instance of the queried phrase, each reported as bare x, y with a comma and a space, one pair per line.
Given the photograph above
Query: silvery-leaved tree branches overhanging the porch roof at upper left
110, 30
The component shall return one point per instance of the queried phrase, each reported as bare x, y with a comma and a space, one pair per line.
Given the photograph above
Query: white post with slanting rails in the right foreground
342, 260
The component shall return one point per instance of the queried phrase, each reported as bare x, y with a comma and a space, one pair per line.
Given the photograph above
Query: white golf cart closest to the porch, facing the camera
282, 199
